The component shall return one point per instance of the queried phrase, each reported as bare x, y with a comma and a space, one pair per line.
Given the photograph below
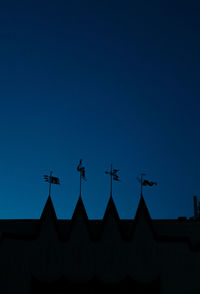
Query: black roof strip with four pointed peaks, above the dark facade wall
168, 230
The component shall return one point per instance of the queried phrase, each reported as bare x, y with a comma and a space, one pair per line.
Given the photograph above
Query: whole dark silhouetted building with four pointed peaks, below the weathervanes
139, 255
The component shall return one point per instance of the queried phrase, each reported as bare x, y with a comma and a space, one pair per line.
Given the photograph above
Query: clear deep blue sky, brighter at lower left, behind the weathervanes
106, 81
